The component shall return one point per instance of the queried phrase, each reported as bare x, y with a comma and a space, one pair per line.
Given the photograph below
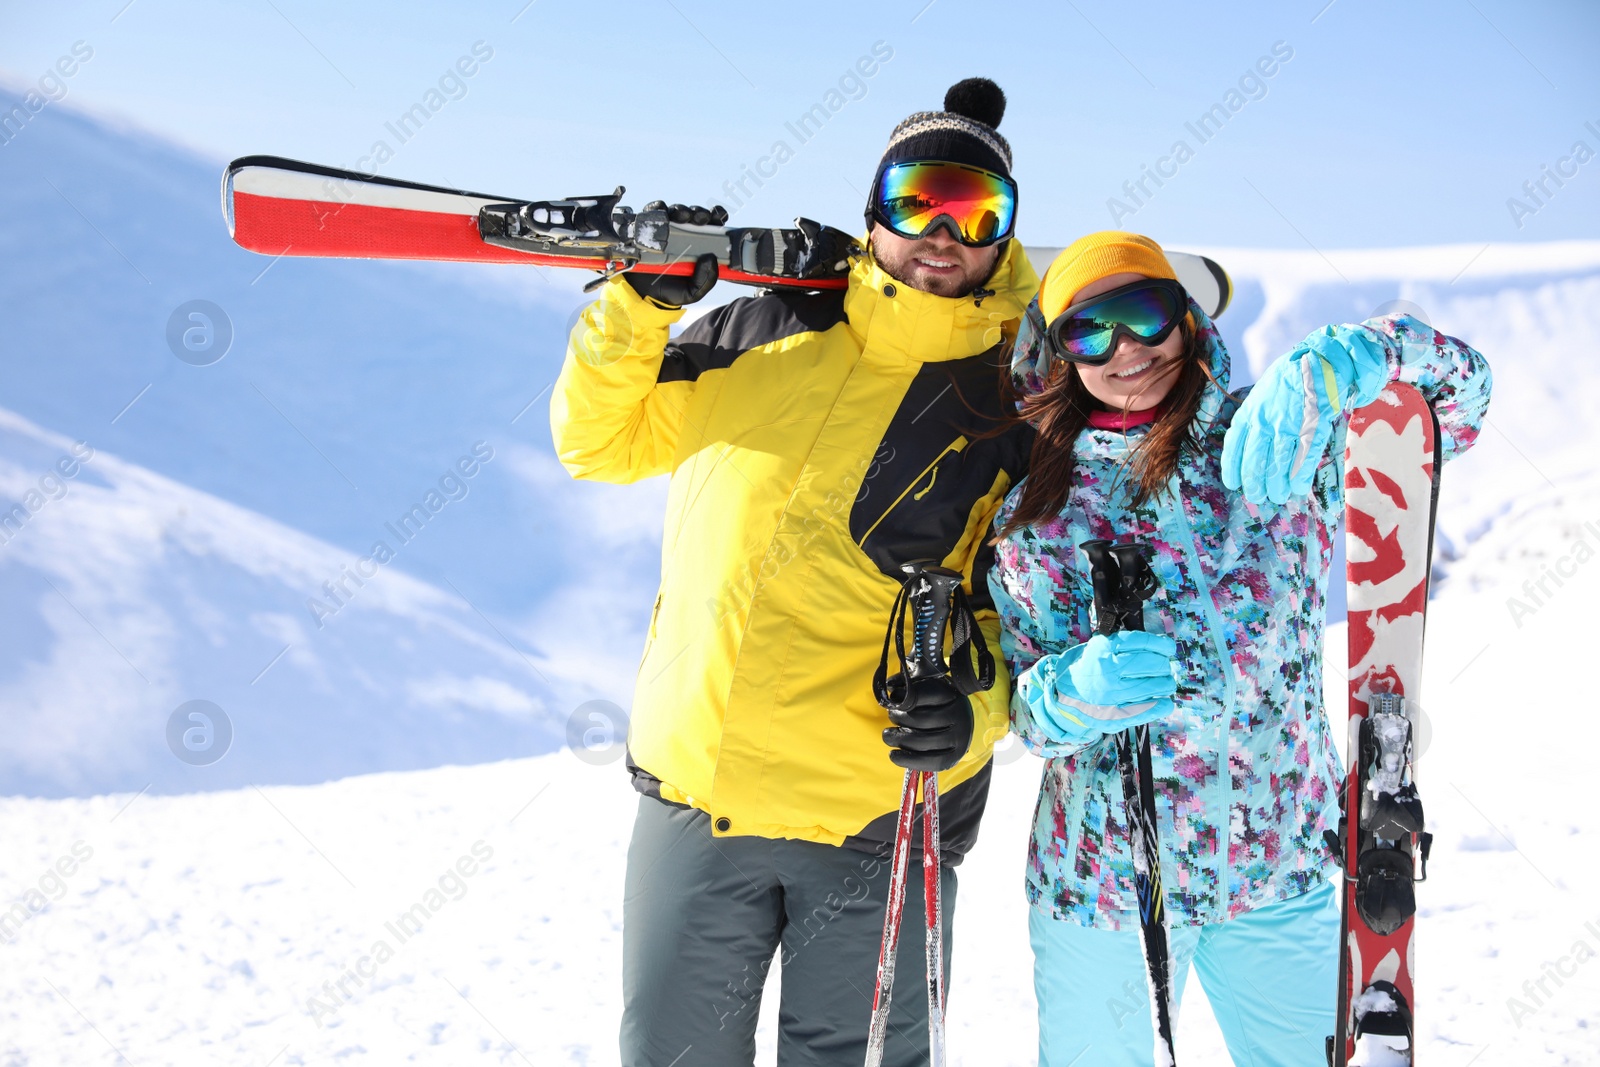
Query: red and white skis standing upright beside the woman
1391, 492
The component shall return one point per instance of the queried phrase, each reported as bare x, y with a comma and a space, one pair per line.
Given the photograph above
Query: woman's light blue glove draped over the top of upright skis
1282, 428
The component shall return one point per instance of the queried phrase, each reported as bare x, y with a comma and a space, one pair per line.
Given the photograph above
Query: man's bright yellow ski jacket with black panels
815, 442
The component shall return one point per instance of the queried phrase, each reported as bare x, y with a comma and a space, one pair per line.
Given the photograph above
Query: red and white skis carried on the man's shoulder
281, 207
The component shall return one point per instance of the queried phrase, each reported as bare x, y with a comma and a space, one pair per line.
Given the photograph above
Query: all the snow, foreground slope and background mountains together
250, 911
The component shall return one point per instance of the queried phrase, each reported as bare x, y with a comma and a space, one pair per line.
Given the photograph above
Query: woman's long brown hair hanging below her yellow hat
1062, 412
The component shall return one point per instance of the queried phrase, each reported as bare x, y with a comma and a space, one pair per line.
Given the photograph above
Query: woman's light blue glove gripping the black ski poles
1103, 687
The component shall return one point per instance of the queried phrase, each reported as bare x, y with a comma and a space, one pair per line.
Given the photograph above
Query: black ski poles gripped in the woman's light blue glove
1122, 580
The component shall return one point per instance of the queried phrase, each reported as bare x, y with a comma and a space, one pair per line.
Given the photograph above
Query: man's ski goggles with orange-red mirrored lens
914, 198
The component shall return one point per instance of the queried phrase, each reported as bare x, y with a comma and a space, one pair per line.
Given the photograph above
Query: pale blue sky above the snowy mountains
1388, 124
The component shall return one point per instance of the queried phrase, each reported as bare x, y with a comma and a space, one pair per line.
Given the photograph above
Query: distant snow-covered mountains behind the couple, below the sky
191, 556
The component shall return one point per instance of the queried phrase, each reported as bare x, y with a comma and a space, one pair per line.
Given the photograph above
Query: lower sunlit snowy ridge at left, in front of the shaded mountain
129, 594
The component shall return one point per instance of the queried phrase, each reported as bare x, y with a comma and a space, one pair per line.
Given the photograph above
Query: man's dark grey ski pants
705, 917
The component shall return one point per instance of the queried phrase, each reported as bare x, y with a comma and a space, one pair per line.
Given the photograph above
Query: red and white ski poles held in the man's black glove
937, 604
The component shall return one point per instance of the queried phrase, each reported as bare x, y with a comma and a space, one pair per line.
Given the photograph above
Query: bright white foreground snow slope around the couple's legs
204, 929
